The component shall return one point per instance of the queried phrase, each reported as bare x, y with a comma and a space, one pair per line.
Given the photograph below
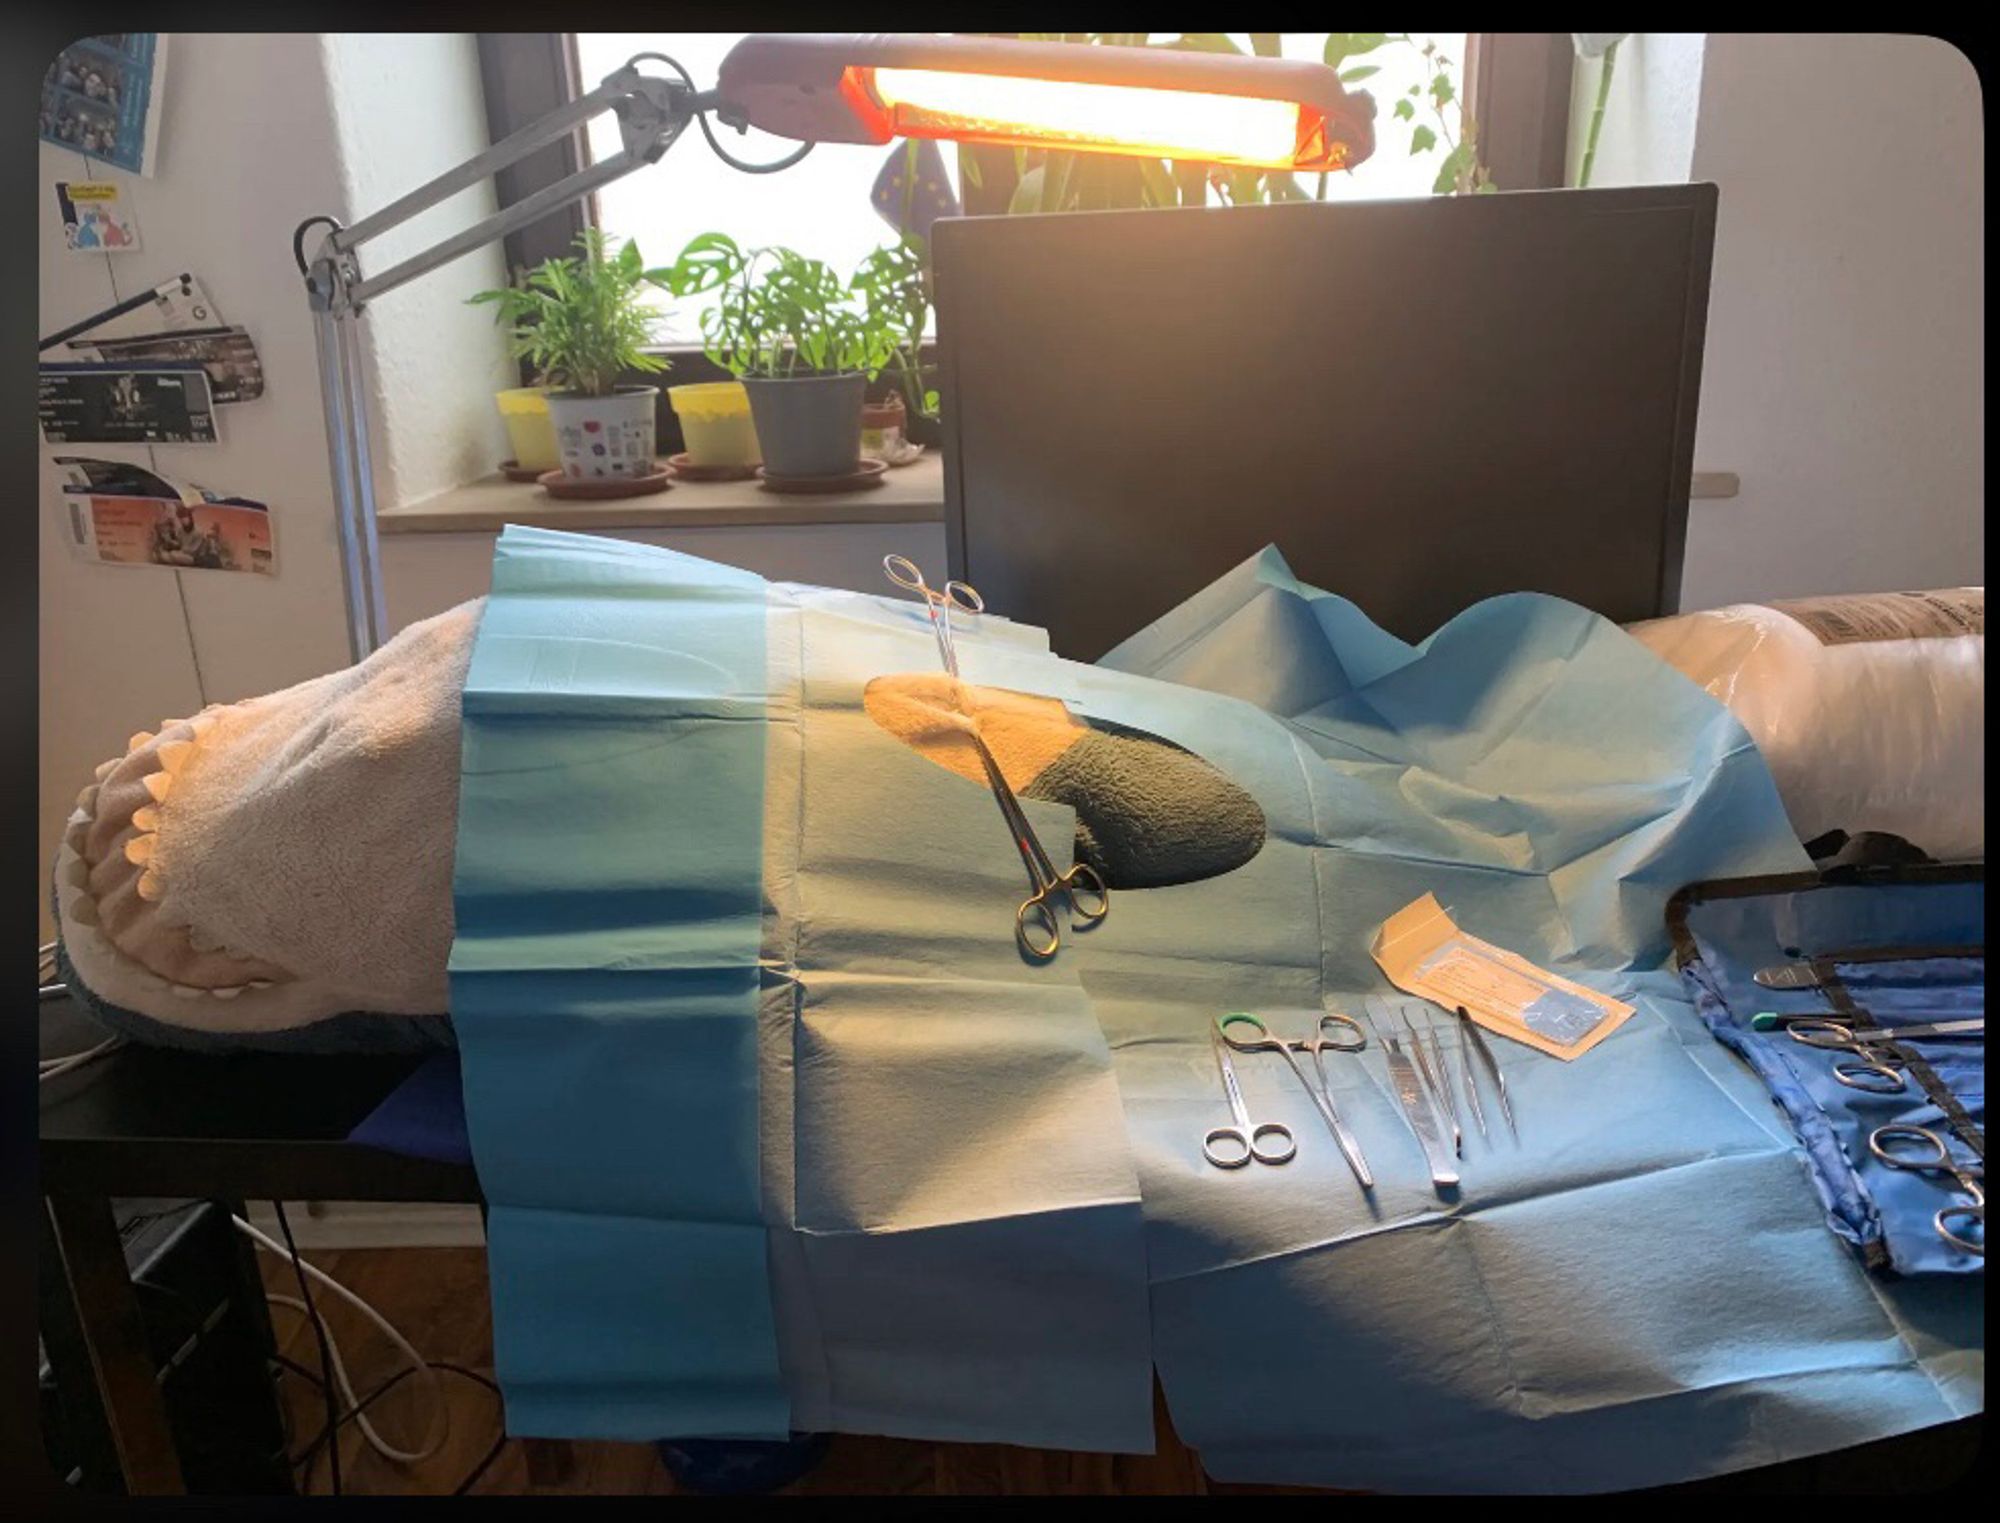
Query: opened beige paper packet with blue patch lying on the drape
1425, 954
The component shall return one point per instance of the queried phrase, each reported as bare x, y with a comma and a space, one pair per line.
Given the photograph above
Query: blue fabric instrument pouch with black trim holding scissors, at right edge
1725, 932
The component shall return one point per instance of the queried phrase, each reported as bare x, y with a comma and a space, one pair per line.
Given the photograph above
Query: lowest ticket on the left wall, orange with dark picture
123, 515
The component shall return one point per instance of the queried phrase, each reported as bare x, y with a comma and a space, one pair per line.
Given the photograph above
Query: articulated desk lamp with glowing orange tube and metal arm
869, 89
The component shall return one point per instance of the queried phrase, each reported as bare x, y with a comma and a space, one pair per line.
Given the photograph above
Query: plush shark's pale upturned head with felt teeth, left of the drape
275, 862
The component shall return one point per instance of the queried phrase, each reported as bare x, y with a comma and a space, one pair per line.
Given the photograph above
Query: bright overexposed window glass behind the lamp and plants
823, 209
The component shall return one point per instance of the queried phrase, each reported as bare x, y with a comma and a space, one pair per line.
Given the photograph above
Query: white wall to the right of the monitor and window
1845, 363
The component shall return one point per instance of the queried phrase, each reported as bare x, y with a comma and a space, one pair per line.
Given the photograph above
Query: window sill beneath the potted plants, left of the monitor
909, 495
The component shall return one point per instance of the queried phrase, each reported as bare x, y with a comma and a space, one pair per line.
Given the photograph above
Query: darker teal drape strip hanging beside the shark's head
605, 988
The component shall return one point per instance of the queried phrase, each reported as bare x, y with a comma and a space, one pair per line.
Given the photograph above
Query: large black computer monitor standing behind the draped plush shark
1421, 403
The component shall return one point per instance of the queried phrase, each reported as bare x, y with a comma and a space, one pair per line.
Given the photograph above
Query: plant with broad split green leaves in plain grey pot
805, 351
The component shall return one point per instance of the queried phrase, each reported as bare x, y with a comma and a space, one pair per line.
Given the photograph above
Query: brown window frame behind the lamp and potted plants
1517, 87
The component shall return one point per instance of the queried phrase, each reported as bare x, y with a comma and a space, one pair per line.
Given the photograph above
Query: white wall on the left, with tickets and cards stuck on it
249, 147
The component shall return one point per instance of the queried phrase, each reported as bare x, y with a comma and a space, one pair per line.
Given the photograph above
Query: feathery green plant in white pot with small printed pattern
583, 323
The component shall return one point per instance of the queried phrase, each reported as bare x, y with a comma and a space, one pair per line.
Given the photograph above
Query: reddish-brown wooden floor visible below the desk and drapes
437, 1298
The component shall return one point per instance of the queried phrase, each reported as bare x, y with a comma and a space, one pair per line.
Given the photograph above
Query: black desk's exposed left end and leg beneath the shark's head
147, 1122
